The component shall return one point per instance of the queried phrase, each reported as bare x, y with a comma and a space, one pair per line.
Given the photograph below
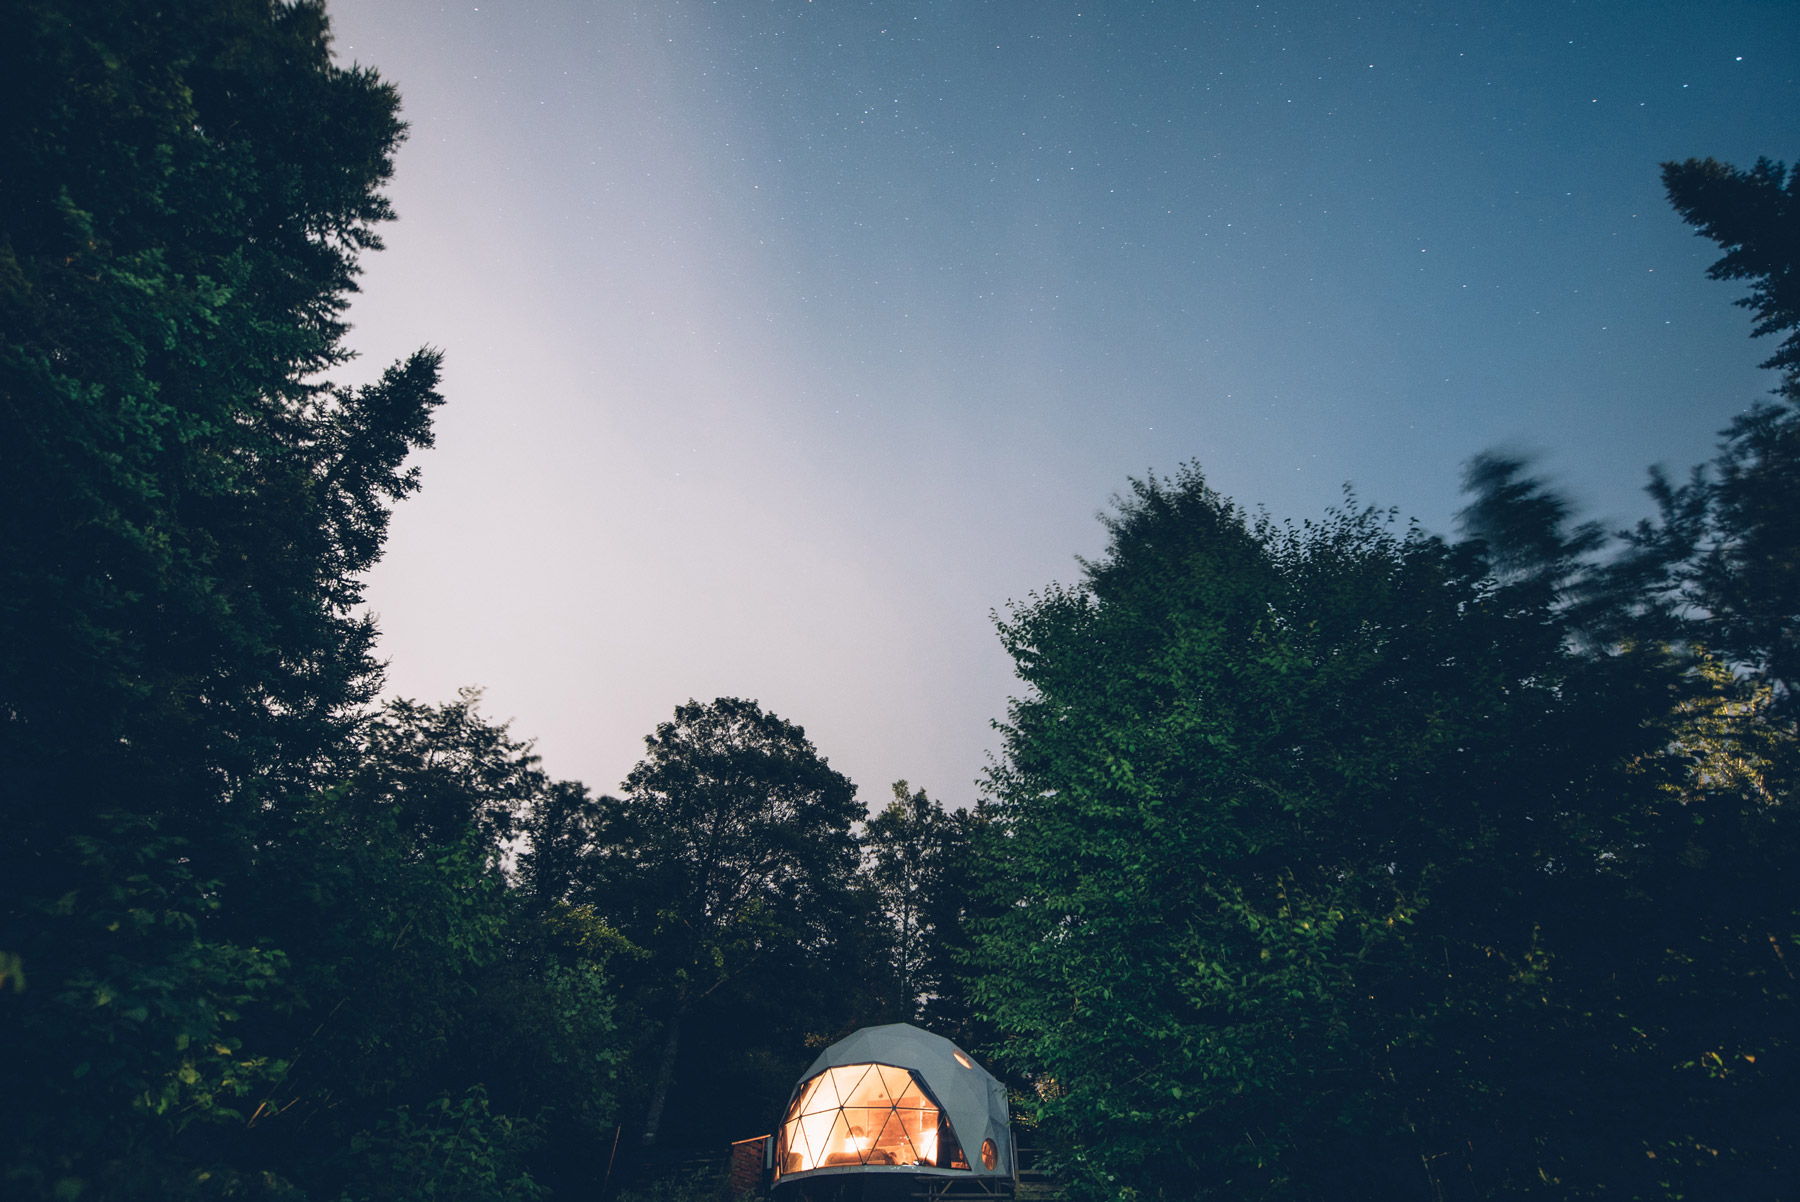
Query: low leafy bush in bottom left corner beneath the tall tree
143, 1039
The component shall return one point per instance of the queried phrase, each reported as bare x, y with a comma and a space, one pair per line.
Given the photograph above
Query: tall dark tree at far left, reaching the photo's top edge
184, 516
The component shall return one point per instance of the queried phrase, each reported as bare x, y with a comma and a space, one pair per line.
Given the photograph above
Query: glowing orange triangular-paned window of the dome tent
865, 1115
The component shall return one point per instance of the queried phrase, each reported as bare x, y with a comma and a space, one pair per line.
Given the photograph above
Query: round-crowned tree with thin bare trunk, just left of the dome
730, 854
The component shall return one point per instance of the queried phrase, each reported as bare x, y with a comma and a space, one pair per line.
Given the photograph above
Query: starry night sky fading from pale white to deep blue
789, 339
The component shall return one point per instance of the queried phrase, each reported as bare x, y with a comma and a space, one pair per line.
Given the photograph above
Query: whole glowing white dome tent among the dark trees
888, 1111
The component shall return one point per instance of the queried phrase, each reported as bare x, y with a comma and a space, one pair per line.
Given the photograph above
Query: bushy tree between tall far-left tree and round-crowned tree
429, 1001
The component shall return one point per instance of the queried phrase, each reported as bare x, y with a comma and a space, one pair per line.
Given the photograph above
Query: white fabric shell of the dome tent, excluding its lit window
971, 1097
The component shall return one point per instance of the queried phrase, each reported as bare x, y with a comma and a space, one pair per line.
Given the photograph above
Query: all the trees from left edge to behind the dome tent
260, 937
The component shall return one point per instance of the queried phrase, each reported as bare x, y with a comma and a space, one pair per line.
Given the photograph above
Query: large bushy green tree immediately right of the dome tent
1288, 820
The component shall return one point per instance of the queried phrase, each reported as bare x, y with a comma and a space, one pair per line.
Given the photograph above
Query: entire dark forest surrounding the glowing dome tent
1333, 859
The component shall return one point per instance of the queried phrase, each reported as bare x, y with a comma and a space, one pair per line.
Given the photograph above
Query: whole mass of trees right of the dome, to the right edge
1356, 863
